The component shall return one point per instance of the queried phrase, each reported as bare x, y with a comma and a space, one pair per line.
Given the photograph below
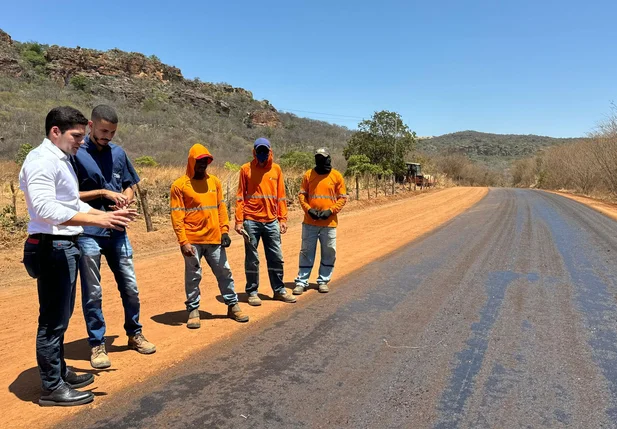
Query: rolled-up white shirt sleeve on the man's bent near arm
40, 178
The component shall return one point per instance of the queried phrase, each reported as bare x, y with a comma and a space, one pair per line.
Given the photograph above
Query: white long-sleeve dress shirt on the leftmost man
52, 192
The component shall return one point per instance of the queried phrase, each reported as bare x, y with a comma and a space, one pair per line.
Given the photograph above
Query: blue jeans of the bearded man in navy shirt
119, 255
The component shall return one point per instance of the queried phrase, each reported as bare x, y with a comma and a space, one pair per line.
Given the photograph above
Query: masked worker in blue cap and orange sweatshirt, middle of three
261, 213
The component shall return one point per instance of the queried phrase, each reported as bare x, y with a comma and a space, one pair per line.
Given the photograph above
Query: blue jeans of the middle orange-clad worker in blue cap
271, 234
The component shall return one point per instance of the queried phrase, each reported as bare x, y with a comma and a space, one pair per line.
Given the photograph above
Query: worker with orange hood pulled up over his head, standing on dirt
200, 221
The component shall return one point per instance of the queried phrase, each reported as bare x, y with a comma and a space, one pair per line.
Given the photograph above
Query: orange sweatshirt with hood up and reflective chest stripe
198, 212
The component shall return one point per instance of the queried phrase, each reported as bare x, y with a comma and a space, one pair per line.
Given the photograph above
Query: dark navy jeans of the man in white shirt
56, 288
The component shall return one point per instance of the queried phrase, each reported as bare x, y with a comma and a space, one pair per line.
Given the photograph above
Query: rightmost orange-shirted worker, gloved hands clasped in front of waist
322, 196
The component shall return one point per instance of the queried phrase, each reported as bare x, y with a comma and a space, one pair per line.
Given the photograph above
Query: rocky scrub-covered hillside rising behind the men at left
161, 112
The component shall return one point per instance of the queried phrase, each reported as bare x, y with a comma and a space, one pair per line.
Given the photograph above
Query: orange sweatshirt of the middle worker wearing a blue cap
261, 192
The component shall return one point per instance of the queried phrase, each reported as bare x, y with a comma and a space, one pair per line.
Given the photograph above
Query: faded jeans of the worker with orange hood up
216, 257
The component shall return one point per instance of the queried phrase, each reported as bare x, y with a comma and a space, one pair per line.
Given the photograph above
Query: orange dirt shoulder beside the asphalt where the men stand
364, 236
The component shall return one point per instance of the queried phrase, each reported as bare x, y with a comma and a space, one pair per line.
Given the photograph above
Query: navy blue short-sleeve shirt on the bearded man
109, 169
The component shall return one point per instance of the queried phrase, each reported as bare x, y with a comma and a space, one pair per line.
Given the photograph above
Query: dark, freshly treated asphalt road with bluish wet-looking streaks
506, 317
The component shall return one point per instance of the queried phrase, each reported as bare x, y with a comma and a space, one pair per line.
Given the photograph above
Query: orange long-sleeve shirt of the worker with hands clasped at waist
322, 192
